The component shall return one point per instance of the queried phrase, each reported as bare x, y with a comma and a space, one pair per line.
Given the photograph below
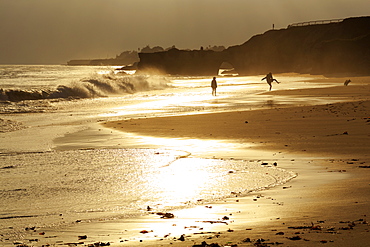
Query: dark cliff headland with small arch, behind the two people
341, 48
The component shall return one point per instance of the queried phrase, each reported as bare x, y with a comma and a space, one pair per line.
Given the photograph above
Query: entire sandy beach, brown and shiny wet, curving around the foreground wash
327, 203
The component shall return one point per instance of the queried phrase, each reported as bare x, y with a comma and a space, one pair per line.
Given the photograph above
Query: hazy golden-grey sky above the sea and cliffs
55, 31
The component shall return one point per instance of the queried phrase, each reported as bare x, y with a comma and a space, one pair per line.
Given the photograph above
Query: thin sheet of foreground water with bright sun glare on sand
58, 188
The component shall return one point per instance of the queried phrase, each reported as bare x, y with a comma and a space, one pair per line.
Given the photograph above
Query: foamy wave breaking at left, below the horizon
96, 86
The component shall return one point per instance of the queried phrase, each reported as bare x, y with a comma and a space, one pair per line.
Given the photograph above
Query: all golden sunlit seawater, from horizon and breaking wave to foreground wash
59, 166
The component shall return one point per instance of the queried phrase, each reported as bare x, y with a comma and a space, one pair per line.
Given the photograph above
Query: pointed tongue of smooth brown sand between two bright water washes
338, 129
